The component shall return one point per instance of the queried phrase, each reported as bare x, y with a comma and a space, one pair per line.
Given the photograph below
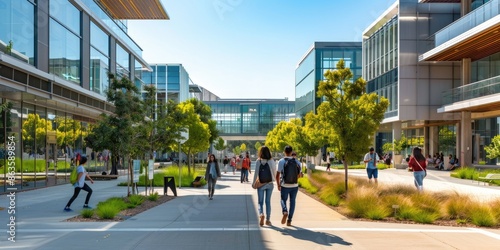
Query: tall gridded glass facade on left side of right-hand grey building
380, 53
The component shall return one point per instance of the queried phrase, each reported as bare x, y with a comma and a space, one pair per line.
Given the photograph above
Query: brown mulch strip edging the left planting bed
127, 213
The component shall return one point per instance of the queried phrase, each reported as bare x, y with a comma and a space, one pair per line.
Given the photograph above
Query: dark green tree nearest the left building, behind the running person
116, 131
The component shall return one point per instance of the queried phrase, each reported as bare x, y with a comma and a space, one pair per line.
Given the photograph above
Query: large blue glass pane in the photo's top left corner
17, 29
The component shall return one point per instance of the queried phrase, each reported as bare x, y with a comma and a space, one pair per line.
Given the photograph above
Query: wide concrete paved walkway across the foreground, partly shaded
191, 221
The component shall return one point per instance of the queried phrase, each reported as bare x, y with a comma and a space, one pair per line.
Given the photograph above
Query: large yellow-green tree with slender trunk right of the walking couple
353, 114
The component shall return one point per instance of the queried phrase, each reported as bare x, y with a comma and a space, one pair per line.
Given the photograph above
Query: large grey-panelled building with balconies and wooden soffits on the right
437, 62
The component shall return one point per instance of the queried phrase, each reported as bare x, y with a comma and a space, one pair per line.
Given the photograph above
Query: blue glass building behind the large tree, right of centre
322, 56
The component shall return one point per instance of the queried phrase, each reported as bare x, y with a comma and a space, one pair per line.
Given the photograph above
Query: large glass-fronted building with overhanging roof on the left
54, 59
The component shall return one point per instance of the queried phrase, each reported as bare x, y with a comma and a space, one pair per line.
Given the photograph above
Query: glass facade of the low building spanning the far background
250, 118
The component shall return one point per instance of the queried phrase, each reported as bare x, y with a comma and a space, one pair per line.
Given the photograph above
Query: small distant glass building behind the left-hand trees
171, 80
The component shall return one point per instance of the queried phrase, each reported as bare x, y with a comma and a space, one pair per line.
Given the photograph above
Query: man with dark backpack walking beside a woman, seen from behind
287, 178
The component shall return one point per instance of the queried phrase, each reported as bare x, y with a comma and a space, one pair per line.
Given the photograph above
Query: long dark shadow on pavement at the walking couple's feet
321, 238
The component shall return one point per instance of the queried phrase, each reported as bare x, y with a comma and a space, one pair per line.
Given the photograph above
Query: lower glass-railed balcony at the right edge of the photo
484, 88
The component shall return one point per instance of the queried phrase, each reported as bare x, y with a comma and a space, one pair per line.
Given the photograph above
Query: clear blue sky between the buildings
249, 48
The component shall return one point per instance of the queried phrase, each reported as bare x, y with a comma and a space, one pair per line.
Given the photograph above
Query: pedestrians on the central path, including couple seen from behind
285, 175
